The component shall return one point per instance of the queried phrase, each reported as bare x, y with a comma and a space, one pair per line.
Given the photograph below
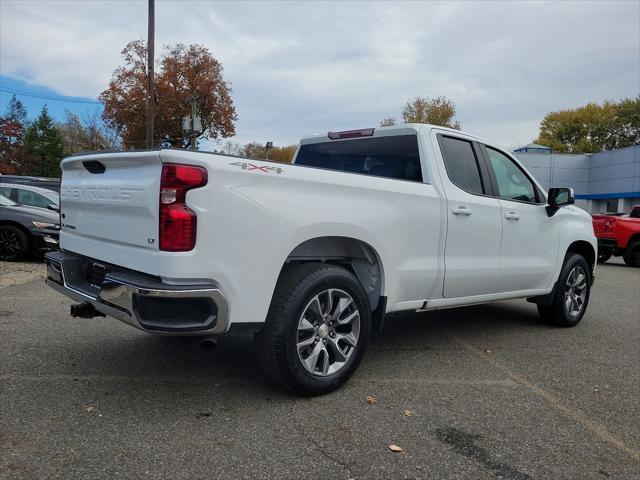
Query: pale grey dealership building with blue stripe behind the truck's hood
603, 182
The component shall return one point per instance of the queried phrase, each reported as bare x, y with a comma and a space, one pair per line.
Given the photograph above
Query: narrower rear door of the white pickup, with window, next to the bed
474, 223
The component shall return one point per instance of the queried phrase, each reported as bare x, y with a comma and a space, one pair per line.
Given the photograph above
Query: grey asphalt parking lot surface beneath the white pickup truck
480, 392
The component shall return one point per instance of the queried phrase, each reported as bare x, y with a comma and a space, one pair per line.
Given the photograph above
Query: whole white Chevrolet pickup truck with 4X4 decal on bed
312, 255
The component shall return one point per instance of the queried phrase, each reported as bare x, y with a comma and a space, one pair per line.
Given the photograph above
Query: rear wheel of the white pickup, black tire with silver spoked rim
317, 329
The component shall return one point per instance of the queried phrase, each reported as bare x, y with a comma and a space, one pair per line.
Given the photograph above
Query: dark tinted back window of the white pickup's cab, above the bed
392, 157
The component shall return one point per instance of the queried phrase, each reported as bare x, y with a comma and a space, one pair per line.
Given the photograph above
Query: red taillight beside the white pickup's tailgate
177, 221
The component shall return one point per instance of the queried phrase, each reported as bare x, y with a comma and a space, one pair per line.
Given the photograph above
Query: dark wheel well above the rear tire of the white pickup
355, 255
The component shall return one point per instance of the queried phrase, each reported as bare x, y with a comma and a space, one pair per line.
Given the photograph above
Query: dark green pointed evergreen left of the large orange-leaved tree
43, 146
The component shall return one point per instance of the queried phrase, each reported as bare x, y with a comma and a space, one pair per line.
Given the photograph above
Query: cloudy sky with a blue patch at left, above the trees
299, 68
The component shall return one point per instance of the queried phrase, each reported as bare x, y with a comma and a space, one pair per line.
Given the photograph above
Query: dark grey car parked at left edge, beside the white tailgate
25, 230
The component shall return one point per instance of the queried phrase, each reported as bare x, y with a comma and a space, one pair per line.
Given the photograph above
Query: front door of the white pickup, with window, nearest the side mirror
530, 239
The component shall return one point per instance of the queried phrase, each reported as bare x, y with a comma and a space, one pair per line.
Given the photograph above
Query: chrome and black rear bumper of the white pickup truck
140, 300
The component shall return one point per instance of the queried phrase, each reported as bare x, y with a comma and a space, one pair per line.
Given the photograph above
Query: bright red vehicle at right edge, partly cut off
619, 235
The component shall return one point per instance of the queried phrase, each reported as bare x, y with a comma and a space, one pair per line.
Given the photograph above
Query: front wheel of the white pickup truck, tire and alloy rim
569, 302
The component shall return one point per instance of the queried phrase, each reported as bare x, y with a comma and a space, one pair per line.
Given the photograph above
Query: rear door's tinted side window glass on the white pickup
461, 164
